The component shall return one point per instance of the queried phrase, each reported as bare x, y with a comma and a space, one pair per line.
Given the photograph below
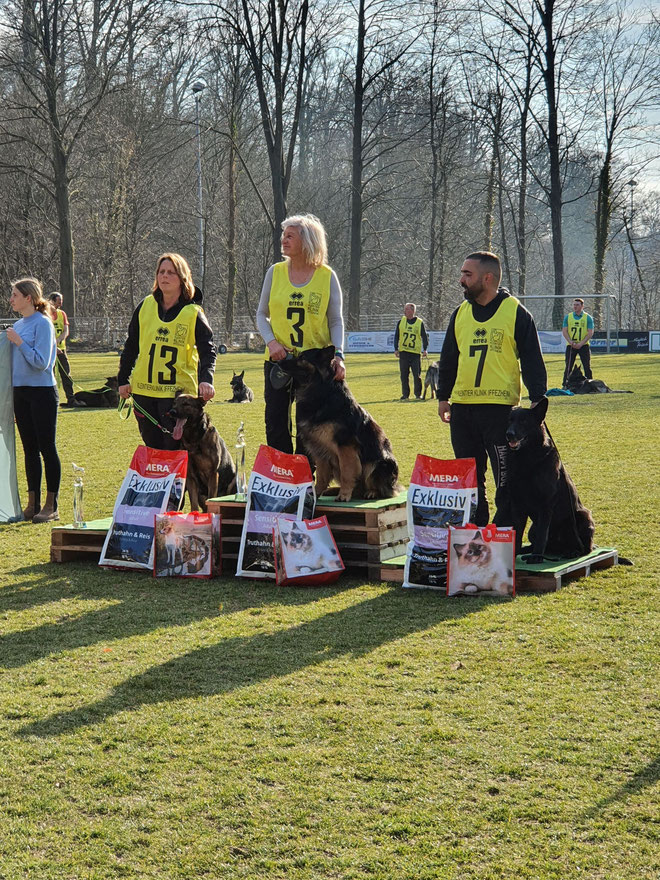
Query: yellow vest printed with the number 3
299, 315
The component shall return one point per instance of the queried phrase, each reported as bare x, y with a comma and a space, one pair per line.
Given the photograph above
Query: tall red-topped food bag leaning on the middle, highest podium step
279, 483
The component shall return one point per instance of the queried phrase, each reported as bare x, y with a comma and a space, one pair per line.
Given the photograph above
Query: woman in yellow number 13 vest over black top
169, 348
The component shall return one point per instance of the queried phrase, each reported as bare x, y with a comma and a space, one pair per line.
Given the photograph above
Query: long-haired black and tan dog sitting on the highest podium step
340, 437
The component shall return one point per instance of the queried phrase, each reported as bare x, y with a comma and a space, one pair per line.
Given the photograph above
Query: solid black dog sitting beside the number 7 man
539, 489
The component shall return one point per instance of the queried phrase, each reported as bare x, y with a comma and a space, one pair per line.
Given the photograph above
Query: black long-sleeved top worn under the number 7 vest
532, 366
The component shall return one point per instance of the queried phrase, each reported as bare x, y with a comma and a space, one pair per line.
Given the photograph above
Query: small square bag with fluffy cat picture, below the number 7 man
481, 561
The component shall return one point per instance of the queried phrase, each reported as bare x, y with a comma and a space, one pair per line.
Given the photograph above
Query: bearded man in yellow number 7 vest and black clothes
490, 339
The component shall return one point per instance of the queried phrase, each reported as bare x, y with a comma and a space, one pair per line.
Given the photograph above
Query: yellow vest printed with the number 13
167, 359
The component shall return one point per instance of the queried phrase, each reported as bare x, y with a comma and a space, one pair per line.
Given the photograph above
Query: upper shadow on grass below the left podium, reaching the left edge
141, 605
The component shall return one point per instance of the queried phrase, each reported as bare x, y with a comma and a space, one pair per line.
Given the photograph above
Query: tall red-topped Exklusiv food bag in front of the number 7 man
442, 493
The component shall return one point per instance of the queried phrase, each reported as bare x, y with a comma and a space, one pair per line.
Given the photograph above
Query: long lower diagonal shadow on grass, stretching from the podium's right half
243, 661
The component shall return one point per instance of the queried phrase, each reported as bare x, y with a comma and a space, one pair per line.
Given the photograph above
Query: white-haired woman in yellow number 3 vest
300, 309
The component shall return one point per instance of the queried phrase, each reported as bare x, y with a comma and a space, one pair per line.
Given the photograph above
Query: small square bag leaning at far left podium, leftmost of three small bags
187, 545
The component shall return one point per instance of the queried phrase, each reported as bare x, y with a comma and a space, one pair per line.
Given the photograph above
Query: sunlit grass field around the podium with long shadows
230, 729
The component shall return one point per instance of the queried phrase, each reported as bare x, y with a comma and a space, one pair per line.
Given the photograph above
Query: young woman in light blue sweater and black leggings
35, 395
